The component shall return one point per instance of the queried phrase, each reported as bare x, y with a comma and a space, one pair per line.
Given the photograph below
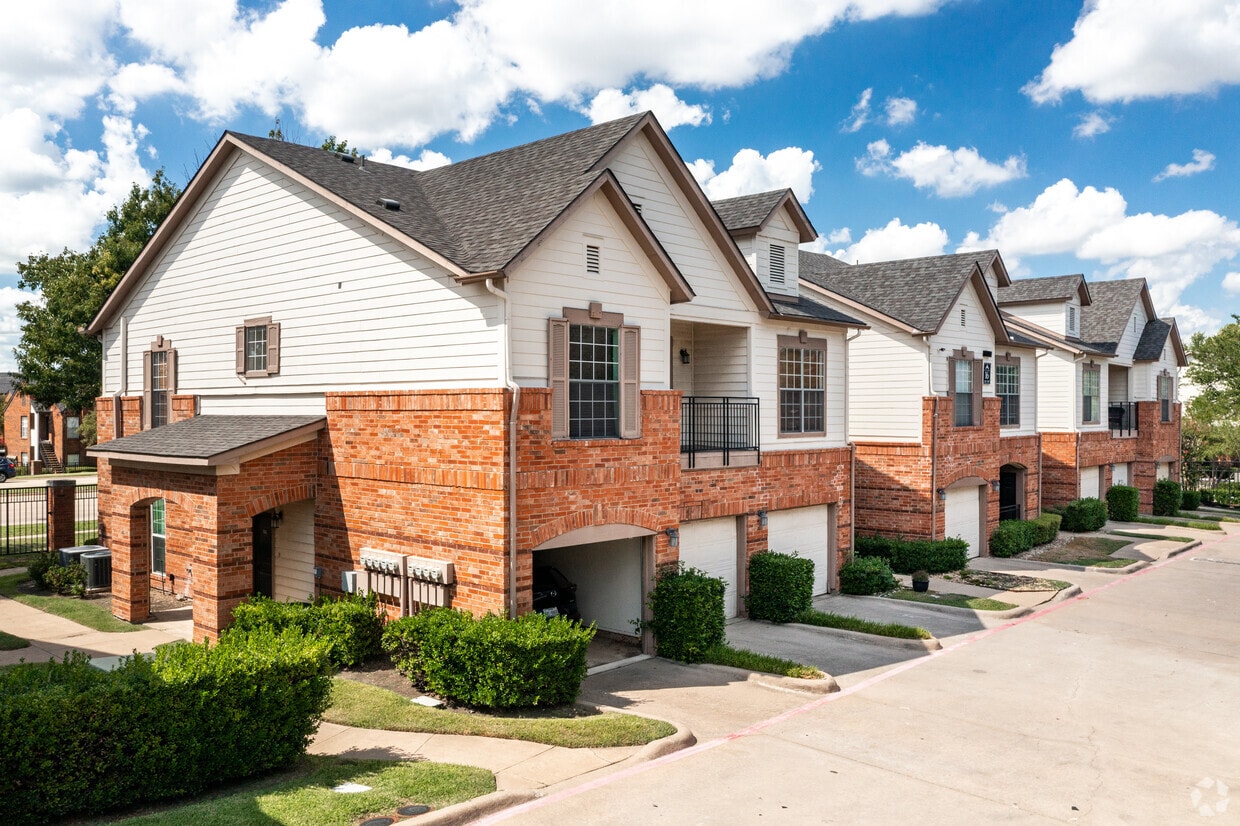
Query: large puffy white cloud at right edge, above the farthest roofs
1170, 252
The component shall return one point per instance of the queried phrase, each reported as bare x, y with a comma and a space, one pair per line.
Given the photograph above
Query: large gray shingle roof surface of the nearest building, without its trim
478, 214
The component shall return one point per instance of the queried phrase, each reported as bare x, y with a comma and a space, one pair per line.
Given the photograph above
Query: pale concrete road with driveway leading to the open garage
1115, 708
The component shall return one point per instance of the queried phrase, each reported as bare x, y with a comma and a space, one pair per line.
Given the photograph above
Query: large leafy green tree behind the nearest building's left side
56, 363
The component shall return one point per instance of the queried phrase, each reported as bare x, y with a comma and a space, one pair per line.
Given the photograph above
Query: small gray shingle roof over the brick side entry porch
205, 437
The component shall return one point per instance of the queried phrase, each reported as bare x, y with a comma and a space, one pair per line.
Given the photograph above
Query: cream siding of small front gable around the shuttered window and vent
555, 277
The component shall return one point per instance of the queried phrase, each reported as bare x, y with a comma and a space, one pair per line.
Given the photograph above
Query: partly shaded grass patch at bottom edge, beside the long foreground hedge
306, 798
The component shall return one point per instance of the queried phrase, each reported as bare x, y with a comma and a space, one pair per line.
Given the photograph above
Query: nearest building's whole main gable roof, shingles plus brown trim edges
477, 218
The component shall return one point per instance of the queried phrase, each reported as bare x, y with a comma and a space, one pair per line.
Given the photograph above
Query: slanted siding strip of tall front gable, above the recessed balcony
719, 295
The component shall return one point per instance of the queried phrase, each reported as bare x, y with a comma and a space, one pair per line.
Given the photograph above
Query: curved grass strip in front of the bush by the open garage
364, 706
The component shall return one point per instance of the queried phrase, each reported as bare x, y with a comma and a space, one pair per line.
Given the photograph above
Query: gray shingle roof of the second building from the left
917, 292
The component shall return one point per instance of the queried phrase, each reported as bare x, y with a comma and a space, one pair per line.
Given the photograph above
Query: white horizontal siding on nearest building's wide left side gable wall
356, 309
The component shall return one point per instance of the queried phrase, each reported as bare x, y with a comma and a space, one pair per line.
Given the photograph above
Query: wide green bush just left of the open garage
493, 663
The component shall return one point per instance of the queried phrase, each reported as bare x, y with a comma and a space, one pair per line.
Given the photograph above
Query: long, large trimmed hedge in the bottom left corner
84, 742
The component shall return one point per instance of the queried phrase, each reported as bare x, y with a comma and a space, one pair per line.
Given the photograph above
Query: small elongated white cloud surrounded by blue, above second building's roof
949, 173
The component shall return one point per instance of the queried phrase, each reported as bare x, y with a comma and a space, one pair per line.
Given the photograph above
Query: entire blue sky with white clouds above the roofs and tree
1097, 138
